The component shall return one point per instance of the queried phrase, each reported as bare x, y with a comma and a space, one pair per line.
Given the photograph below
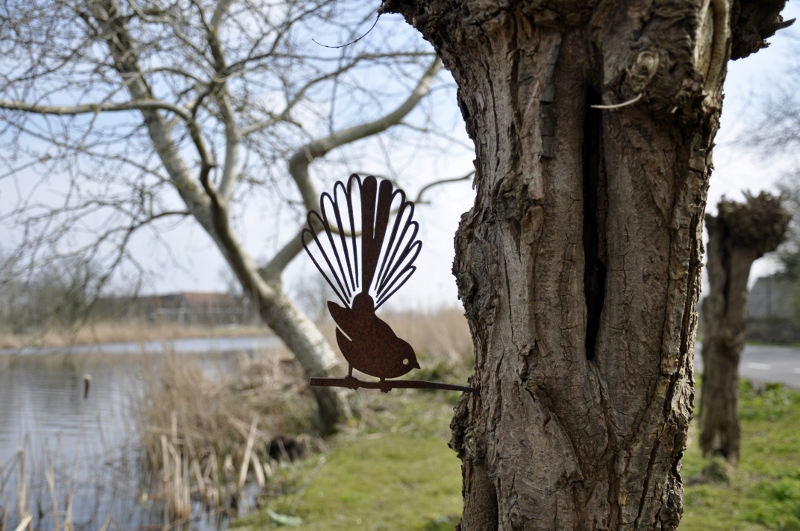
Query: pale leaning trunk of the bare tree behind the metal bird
209, 207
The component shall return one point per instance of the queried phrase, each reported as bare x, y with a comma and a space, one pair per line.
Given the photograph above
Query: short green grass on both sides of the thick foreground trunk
395, 471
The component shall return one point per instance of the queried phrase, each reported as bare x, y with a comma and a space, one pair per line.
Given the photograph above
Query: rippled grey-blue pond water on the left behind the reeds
87, 443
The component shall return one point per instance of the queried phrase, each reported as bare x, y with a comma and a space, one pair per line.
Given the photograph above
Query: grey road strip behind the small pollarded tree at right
765, 363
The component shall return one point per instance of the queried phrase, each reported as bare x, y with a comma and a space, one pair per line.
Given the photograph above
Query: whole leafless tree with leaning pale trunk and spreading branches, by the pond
141, 113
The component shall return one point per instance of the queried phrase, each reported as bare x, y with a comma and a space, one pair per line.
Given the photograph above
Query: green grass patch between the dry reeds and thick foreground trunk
394, 471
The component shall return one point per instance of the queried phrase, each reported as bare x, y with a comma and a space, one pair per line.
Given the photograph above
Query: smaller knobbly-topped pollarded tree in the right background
737, 236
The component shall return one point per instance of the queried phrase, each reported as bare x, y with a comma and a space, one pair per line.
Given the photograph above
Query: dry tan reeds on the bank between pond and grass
203, 437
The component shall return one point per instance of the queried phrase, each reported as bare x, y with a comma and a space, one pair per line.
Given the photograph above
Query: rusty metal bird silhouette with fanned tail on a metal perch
364, 242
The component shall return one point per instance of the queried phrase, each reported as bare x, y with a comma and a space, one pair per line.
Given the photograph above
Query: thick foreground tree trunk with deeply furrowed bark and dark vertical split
579, 264
